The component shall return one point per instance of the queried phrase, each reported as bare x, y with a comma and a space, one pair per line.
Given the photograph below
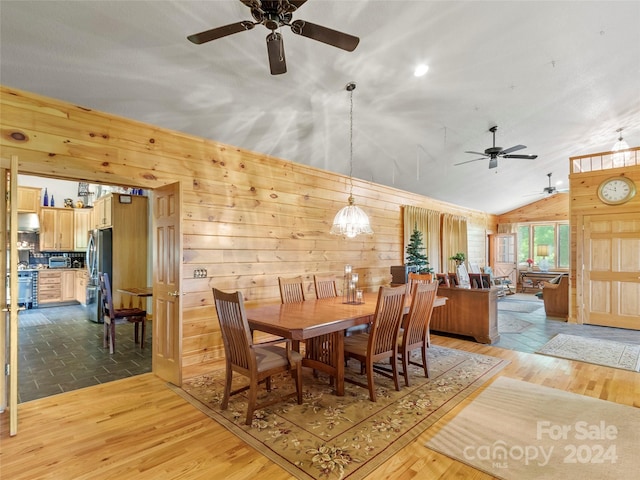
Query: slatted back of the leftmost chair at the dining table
236, 335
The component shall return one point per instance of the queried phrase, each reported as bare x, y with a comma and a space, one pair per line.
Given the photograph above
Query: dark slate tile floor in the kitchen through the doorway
60, 350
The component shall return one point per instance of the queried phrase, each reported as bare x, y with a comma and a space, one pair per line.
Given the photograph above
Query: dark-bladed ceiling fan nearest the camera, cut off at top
274, 14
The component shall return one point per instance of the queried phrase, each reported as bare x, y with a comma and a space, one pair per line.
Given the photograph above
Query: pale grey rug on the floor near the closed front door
592, 350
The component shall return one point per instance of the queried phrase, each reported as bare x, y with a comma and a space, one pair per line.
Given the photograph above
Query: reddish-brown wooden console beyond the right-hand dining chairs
469, 311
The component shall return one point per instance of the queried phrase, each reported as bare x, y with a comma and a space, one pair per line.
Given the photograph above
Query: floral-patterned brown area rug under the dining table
345, 437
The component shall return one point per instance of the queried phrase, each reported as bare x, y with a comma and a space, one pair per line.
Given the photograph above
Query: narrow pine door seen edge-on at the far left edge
9, 317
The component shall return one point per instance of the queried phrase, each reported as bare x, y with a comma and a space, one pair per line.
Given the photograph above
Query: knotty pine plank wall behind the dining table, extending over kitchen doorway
247, 217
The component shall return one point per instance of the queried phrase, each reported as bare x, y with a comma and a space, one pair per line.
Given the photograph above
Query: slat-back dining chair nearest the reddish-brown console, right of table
415, 331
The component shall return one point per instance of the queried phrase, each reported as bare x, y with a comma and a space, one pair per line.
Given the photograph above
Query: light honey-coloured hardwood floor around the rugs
137, 428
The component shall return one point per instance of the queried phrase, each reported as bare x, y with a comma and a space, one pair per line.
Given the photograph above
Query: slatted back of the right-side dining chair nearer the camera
383, 336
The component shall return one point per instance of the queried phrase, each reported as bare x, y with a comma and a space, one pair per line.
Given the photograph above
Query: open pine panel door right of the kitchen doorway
167, 294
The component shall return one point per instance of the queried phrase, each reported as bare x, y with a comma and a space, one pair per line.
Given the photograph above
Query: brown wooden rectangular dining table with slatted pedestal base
318, 321
